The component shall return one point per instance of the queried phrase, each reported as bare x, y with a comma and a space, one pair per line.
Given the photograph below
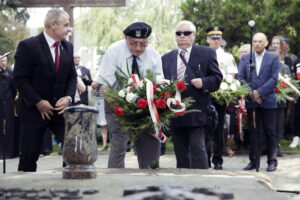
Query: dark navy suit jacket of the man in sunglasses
202, 64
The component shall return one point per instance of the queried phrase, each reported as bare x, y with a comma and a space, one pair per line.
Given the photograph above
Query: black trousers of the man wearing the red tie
32, 135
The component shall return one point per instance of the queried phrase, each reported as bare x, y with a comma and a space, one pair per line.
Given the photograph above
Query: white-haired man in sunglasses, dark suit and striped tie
199, 66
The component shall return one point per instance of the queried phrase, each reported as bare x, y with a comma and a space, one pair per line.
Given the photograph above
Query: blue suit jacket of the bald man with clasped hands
266, 80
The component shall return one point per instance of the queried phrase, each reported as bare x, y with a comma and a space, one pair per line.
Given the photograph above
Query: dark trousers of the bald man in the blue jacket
265, 132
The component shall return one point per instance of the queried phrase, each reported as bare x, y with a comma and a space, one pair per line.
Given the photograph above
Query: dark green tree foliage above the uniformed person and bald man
272, 17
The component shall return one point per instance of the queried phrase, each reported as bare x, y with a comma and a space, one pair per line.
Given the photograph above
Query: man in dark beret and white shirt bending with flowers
133, 55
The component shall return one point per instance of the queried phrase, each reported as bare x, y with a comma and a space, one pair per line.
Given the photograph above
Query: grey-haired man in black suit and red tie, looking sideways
45, 76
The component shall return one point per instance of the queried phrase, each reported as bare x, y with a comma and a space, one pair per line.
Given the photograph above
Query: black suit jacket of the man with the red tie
35, 76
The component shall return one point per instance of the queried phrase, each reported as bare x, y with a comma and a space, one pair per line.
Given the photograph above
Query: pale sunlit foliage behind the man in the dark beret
103, 26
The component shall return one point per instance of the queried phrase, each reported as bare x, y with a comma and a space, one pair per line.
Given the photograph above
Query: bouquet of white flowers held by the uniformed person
230, 90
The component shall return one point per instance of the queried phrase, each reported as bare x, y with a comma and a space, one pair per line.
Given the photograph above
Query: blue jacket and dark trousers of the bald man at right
264, 83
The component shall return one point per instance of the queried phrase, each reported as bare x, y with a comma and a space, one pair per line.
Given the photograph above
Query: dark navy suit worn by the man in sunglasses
188, 130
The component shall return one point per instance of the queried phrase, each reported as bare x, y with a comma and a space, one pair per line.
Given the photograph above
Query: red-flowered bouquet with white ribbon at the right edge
286, 89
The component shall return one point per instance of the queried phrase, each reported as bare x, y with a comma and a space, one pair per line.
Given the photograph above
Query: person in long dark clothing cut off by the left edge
9, 143
